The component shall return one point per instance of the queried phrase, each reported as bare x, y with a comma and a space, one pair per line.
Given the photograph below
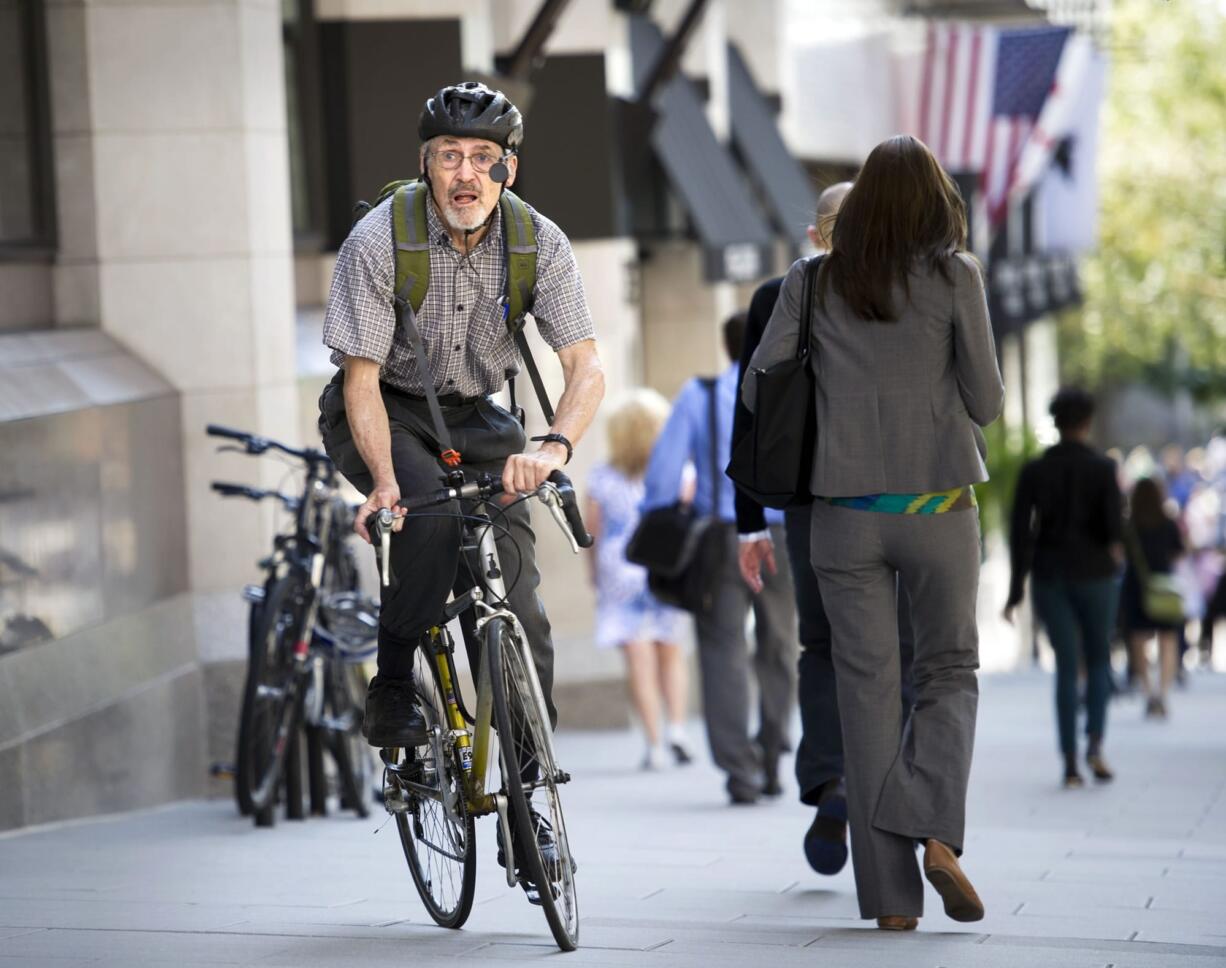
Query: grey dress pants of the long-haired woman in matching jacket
907, 782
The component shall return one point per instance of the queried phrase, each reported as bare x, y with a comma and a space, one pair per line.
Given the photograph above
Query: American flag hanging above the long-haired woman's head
983, 94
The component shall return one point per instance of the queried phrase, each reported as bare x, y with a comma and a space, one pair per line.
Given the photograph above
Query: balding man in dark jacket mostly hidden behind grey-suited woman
820, 757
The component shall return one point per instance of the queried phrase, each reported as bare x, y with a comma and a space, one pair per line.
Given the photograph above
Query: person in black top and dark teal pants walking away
1066, 527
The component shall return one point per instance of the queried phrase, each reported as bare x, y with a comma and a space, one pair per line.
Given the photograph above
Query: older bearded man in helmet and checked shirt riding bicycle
419, 363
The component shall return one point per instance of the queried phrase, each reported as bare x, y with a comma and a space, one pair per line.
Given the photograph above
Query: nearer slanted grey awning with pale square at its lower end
735, 235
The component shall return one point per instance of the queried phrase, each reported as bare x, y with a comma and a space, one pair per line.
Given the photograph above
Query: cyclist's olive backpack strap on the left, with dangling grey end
413, 279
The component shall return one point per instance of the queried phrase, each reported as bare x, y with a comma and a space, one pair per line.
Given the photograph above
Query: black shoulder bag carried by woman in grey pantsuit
773, 461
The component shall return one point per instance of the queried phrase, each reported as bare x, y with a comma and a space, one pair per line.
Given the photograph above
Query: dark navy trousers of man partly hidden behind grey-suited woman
820, 757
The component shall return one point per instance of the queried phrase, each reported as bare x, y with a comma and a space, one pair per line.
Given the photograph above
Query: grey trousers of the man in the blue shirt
725, 666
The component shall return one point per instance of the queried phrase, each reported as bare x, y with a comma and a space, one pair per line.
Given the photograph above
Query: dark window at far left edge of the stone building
26, 189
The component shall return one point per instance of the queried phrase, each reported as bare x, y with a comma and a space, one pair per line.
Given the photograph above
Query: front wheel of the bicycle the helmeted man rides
524, 736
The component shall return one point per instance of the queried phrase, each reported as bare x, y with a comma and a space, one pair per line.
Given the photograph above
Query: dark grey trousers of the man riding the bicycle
426, 553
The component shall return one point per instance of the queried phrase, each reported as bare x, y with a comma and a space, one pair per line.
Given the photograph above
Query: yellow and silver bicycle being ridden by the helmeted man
436, 791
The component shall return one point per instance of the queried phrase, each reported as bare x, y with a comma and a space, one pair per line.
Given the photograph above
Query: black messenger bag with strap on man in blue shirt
682, 551
